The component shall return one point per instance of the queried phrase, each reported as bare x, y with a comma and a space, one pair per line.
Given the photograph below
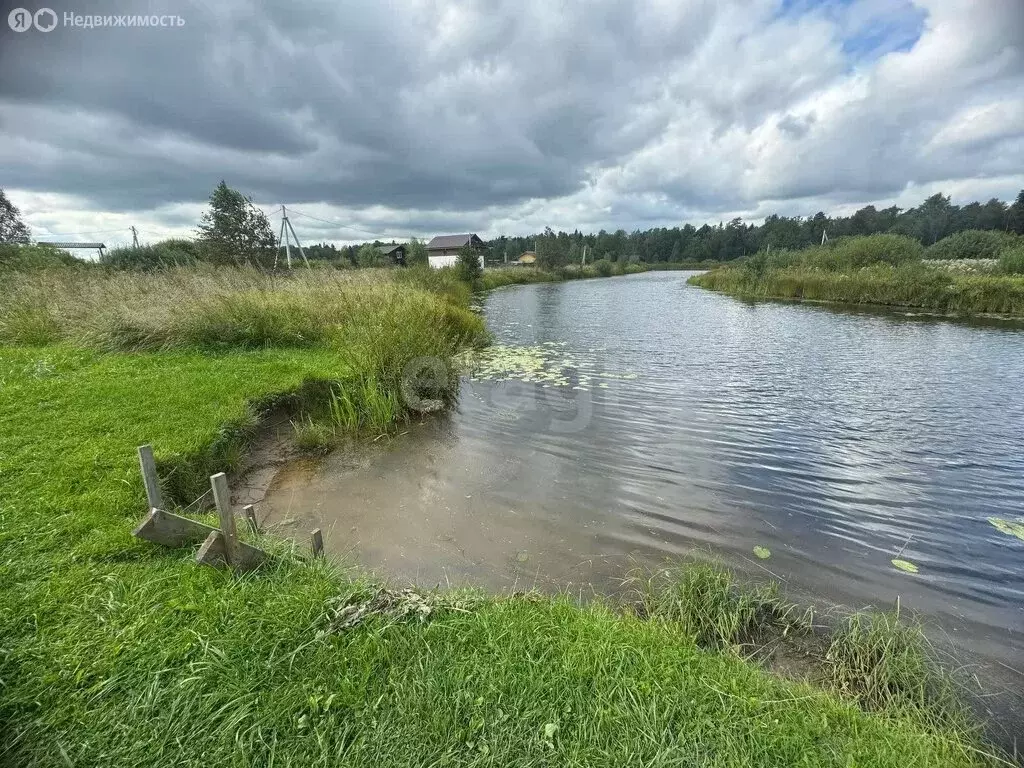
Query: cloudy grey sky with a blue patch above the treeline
420, 117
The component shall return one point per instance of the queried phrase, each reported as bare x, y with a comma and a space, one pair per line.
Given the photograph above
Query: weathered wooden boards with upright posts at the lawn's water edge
221, 546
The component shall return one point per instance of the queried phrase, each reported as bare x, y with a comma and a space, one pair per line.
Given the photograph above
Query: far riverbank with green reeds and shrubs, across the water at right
884, 271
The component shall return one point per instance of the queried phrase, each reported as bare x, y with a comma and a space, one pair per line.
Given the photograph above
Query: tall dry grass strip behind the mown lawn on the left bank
223, 309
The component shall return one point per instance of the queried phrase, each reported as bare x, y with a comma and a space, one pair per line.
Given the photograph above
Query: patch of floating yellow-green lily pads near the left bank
548, 364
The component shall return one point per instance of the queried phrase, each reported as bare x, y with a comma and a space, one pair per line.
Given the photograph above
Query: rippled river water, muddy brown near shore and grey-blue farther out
678, 420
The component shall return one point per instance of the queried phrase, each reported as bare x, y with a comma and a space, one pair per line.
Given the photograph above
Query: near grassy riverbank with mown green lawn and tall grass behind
121, 653
